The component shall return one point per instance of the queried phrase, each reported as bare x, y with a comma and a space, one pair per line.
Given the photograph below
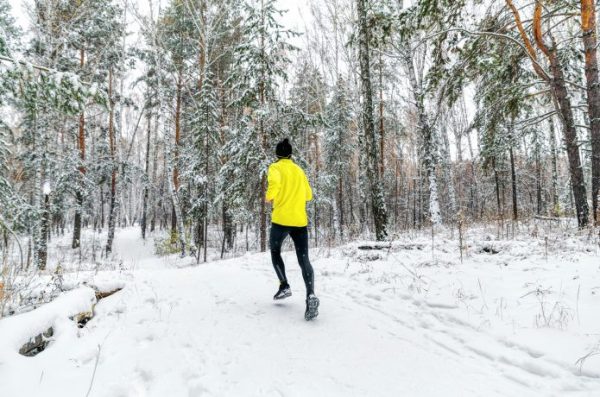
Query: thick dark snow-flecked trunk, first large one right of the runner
378, 206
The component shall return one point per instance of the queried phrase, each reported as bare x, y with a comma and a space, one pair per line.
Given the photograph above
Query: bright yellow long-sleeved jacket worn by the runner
289, 189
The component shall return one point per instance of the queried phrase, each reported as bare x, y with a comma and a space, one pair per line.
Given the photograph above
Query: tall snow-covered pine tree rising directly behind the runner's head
260, 61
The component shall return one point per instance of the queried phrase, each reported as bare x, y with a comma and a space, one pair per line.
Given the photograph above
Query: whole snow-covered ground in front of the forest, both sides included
516, 318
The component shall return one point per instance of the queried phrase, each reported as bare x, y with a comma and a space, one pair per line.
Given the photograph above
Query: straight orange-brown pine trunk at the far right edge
590, 44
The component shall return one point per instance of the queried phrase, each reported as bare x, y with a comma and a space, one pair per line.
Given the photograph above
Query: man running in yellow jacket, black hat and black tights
289, 191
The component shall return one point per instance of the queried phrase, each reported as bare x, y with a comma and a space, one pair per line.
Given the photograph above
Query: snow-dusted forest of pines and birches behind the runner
437, 113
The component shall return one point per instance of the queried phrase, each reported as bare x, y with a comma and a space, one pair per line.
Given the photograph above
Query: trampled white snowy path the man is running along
213, 330
